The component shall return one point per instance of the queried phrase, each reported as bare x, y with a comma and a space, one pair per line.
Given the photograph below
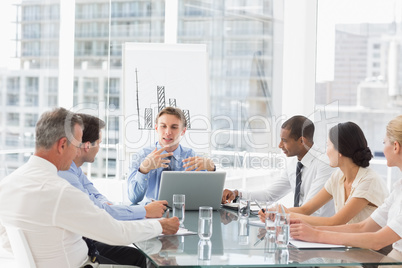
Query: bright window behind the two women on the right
353, 86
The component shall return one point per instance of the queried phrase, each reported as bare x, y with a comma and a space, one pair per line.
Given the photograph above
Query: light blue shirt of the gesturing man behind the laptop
145, 187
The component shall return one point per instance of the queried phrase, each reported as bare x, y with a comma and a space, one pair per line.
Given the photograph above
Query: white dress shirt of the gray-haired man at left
54, 216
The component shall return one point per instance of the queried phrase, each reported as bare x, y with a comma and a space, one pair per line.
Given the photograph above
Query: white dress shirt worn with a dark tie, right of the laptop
315, 173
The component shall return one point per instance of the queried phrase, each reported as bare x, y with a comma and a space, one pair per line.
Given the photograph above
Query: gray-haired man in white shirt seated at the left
53, 214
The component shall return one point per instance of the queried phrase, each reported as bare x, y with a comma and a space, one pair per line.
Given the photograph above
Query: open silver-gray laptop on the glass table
202, 188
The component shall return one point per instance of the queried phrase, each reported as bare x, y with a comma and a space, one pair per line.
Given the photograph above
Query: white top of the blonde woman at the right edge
390, 213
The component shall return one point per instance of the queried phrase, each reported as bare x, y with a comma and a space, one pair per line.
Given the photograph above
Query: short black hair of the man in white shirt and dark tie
299, 126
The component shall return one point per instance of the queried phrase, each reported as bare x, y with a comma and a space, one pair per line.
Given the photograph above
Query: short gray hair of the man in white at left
54, 125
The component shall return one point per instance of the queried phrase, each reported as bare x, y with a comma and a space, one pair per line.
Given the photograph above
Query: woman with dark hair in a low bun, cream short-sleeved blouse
356, 190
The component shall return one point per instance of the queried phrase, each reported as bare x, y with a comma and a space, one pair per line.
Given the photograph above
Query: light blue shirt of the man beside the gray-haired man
120, 212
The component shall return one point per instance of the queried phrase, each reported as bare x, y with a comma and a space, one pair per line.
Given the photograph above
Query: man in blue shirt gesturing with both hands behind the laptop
166, 155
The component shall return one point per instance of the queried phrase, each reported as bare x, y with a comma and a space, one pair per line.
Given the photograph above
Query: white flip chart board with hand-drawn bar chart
156, 76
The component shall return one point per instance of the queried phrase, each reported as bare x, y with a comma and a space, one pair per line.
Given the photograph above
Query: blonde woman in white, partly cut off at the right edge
383, 227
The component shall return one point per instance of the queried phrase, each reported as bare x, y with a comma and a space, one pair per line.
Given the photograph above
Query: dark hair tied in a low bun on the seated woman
349, 140
